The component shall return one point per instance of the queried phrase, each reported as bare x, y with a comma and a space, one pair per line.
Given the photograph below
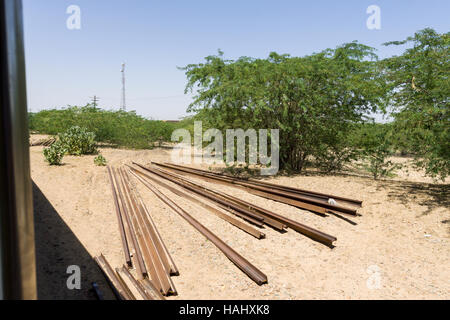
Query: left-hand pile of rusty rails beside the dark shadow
142, 244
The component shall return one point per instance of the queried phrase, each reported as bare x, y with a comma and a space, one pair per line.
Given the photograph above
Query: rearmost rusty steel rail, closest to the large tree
314, 194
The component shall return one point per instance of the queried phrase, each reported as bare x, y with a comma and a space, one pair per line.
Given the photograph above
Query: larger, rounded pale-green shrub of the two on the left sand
78, 141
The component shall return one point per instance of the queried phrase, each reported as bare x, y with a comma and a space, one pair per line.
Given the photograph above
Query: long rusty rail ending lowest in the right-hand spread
311, 233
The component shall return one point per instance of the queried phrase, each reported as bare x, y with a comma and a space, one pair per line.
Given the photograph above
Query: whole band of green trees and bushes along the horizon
320, 103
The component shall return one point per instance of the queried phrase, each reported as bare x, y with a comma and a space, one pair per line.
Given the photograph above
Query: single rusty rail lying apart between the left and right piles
251, 271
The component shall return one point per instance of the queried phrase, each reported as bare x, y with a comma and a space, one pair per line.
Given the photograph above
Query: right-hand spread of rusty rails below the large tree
250, 212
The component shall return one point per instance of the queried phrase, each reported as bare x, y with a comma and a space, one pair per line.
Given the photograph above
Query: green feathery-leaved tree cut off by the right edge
420, 86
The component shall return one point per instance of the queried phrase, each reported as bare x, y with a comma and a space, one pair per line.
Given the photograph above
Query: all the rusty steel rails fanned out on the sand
144, 248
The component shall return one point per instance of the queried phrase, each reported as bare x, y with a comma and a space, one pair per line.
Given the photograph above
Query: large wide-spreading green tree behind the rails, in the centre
313, 100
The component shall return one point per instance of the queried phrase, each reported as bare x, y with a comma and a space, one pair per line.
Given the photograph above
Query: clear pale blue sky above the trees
68, 67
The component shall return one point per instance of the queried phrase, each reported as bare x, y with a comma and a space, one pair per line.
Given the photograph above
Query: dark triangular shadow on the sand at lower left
56, 249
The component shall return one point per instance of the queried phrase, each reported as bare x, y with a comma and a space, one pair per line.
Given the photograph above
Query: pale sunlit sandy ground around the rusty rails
399, 249
